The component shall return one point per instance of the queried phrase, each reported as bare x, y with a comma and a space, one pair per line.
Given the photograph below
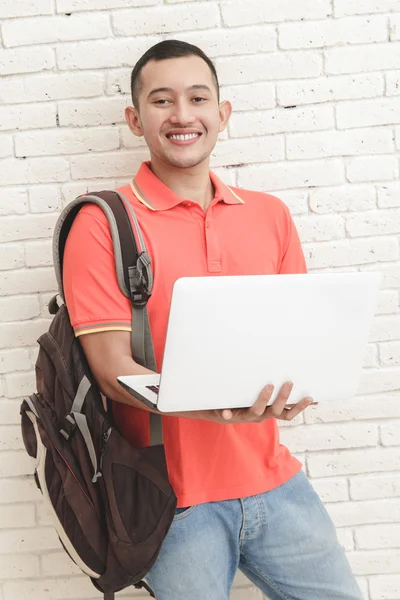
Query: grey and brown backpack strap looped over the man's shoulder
133, 269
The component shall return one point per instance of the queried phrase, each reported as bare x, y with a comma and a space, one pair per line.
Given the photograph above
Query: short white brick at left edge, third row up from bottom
29, 540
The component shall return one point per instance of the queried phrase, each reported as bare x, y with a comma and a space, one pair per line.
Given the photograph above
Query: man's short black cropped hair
163, 51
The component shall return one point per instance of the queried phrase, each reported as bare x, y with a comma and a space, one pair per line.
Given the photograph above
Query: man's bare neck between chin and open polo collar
192, 184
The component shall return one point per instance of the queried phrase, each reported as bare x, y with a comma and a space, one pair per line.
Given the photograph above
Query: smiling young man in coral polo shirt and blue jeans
243, 501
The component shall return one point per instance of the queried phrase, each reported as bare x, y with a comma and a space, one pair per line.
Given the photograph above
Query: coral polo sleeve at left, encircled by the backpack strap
92, 295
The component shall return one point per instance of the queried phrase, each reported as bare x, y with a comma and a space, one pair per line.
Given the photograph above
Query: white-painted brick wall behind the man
315, 86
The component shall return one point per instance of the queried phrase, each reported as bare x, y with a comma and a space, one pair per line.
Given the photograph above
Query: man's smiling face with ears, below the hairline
178, 113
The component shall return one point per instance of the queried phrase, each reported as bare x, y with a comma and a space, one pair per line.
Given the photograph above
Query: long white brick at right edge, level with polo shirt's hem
354, 462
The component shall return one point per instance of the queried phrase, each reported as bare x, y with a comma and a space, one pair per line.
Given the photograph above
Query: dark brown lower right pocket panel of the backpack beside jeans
140, 502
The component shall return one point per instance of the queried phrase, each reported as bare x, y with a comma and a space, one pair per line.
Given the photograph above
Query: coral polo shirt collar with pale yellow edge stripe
154, 194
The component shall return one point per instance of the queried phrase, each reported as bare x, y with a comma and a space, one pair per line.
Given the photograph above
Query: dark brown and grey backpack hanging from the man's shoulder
112, 504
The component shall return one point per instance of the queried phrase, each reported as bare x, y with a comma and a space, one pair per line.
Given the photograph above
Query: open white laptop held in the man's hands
228, 337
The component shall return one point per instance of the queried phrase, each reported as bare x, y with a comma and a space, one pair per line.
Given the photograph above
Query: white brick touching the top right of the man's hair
225, 42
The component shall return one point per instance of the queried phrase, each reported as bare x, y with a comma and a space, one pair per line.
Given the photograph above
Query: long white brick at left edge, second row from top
48, 30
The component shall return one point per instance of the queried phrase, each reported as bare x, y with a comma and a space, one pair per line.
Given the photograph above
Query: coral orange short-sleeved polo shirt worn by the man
241, 233
